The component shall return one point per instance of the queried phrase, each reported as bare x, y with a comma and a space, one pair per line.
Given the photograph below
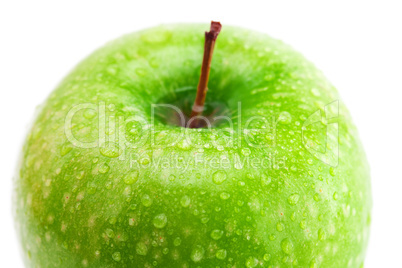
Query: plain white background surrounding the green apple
357, 44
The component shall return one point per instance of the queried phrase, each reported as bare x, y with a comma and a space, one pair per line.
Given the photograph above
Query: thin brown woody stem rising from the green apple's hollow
198, 107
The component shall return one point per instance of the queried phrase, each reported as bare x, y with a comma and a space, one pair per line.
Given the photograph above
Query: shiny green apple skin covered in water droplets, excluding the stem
103, 207
